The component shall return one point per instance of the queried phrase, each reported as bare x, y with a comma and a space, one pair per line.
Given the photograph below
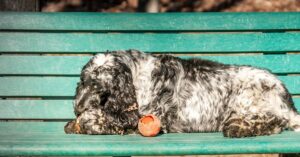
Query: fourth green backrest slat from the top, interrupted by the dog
65, 86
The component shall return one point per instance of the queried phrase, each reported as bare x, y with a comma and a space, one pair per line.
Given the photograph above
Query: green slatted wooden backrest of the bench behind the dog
42, 53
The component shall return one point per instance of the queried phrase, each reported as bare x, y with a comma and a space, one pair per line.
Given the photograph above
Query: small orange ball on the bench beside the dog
149, 125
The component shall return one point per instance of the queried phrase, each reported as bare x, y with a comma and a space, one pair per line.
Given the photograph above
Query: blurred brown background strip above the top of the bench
151, 5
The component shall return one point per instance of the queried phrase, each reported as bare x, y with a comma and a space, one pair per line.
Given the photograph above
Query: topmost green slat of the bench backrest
150, 22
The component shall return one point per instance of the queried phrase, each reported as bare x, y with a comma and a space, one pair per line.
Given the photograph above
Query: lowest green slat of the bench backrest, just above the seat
48, 109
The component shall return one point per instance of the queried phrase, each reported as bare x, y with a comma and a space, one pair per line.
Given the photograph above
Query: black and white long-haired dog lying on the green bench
195, 95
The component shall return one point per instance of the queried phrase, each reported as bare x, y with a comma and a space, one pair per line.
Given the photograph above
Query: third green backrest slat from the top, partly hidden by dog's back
72, 65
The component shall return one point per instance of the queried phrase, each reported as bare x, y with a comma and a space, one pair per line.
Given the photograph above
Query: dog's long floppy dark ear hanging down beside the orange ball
121, 100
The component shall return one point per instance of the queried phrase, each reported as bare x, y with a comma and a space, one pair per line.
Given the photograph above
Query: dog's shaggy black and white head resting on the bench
110, 90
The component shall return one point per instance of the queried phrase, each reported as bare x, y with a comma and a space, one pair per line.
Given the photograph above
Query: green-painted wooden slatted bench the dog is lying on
42, 55
